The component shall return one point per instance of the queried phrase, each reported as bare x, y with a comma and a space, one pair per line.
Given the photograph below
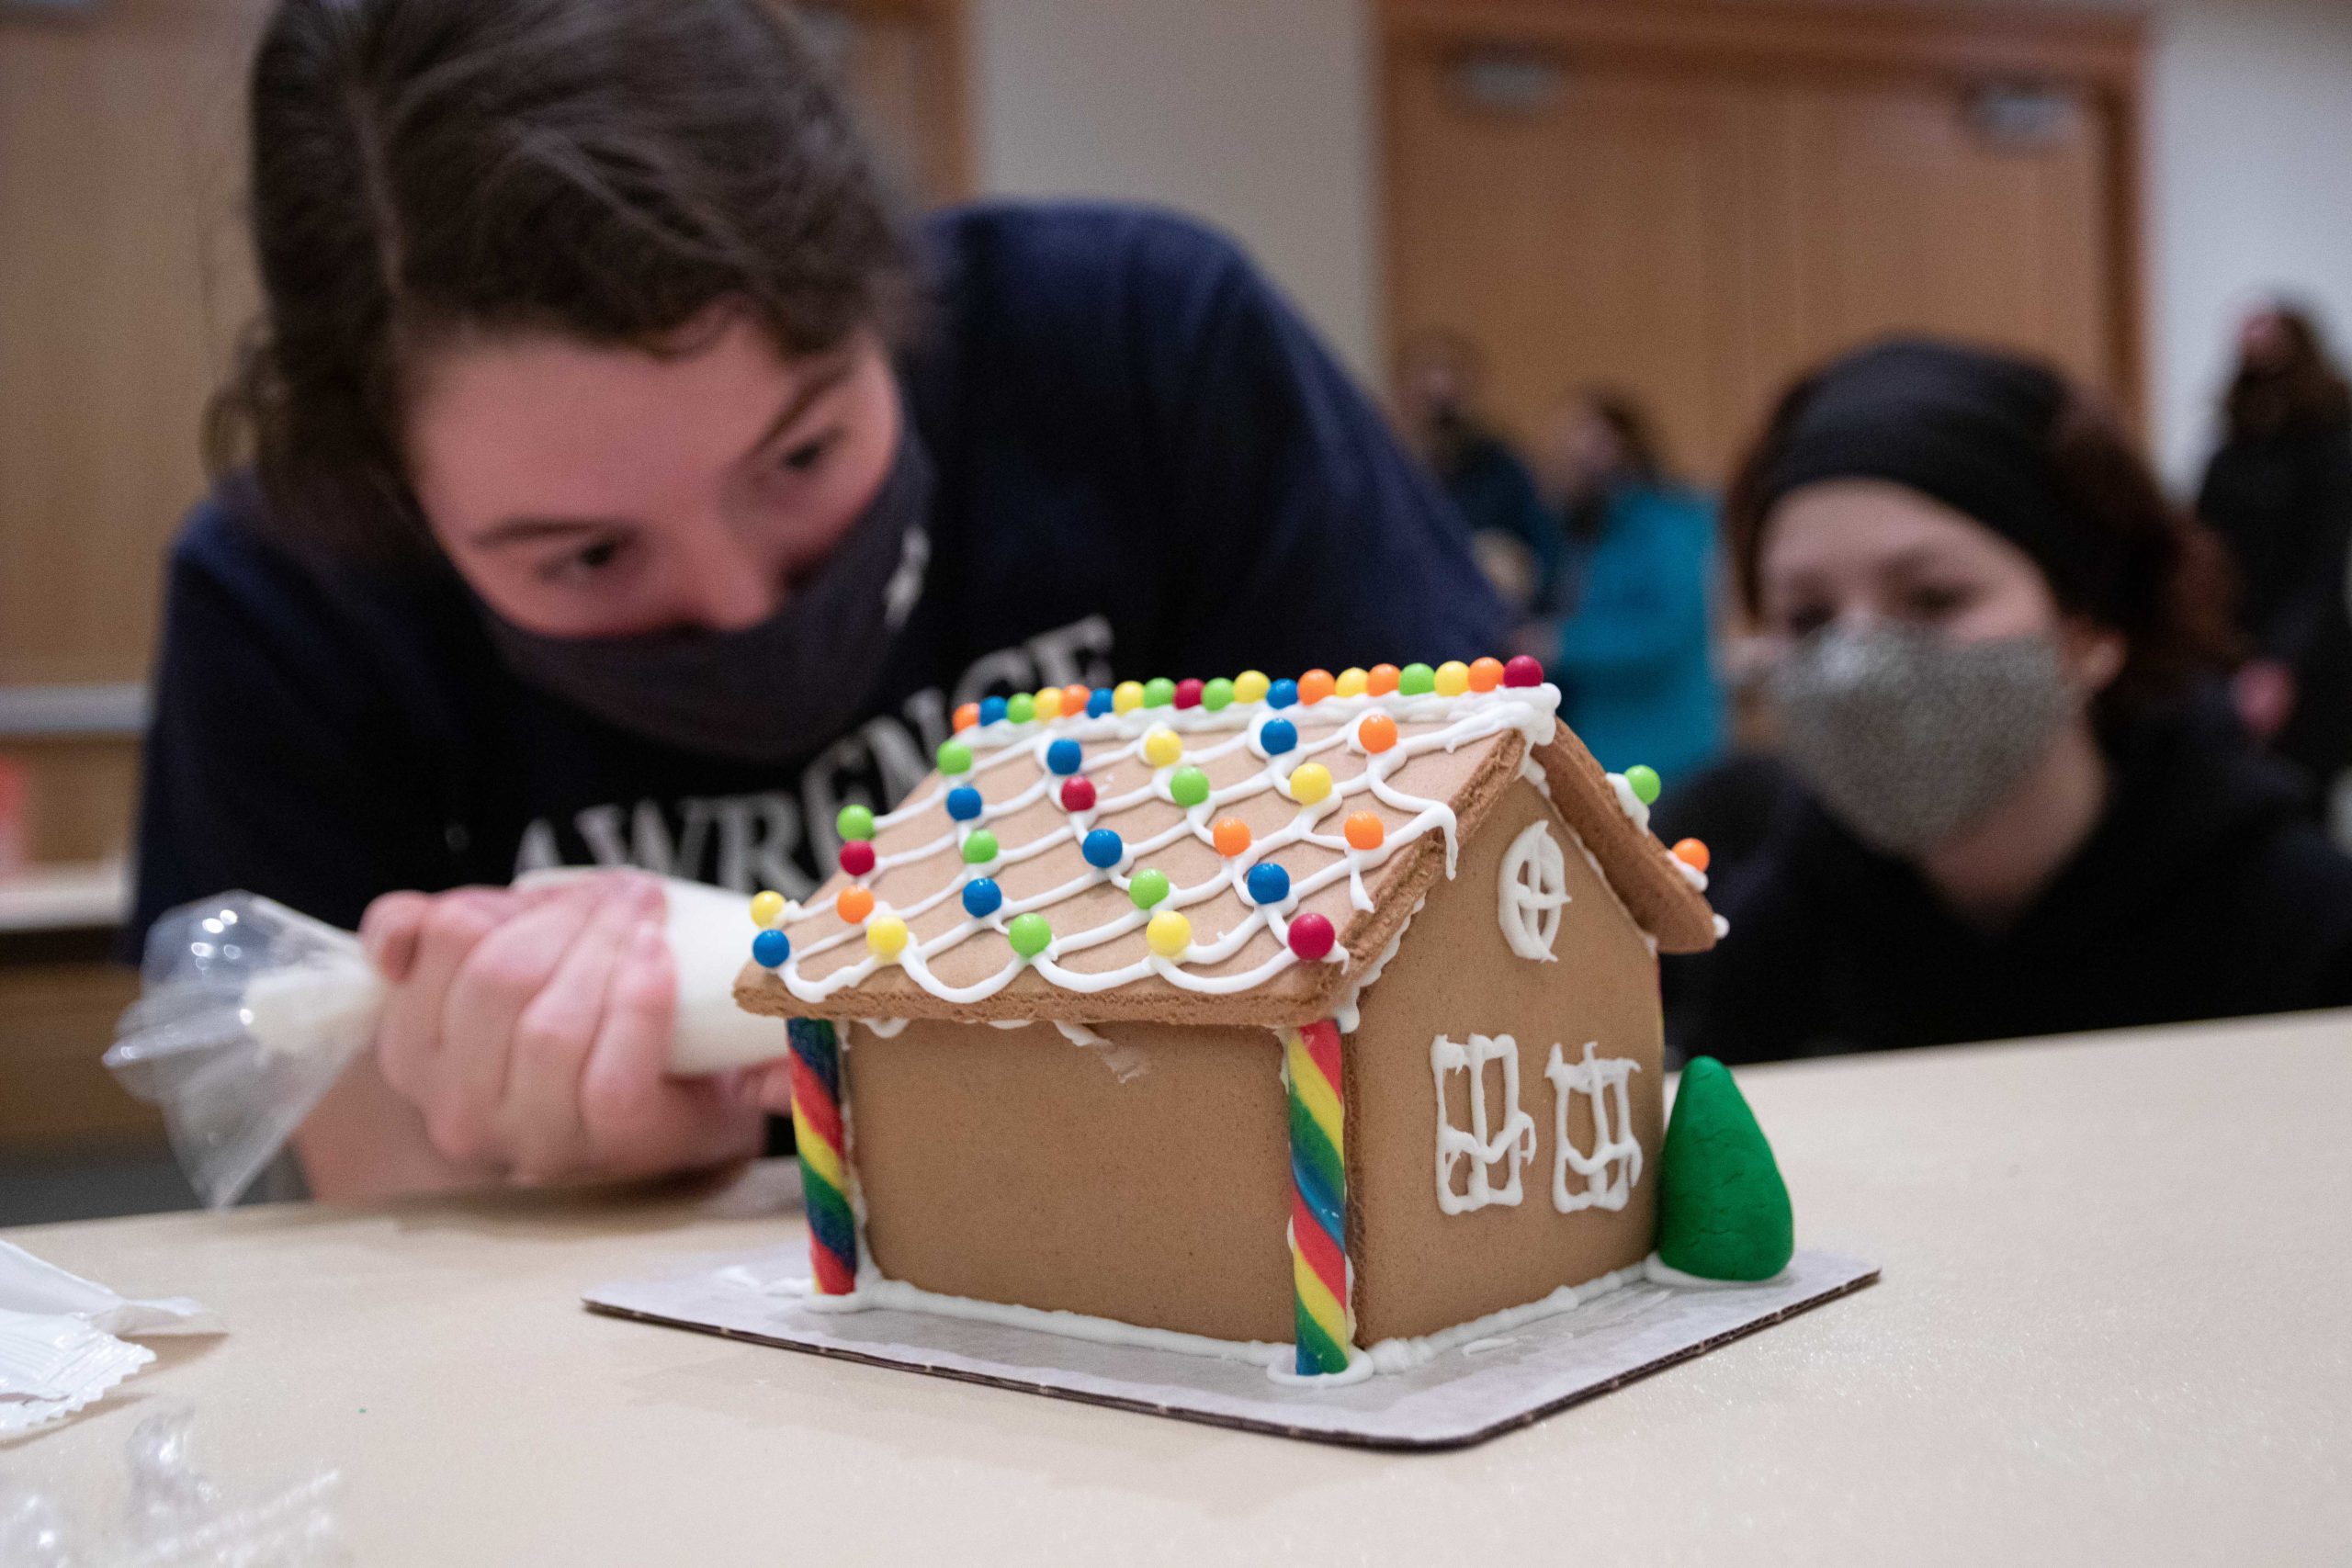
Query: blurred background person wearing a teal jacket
1636, 652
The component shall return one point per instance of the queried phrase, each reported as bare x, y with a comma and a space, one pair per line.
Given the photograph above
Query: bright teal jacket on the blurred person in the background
1638, 655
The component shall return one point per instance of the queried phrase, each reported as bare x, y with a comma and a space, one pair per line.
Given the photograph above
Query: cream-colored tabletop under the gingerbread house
2113, 1329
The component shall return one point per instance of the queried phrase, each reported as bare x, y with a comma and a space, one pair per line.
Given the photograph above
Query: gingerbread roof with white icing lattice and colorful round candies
1116, 864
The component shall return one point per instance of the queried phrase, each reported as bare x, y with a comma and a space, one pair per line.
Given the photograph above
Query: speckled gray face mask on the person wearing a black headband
1906, 737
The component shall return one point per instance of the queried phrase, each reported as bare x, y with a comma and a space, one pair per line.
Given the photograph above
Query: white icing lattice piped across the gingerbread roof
1459, 721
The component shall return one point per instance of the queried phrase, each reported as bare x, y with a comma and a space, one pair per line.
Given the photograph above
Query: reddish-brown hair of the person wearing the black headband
2170, 594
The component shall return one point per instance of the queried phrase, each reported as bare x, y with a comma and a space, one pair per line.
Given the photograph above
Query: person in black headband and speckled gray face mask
2012, 812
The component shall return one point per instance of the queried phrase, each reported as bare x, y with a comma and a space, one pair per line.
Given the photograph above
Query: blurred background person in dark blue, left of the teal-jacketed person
1438, 410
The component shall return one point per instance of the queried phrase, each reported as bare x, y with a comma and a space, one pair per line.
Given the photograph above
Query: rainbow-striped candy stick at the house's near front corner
1318, 1200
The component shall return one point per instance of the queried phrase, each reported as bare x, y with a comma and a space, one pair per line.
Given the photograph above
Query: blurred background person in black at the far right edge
2280, 495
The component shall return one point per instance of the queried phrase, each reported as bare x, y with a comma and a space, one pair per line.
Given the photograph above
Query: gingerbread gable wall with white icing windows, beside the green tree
1417, 1266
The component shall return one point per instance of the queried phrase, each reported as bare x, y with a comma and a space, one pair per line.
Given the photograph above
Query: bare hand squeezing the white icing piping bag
533, 1033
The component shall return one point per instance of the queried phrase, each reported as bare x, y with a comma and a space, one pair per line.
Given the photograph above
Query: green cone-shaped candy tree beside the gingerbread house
1723, 1207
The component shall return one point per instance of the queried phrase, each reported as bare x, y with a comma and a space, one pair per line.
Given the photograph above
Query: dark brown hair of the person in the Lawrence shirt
606, 170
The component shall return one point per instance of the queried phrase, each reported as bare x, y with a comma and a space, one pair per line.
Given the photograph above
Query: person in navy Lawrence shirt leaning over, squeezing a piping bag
617, 478
